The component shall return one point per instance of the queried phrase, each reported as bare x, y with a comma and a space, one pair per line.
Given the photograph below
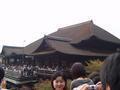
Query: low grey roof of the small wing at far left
9, 50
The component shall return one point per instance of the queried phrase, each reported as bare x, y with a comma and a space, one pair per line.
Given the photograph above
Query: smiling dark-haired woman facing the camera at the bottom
59, 81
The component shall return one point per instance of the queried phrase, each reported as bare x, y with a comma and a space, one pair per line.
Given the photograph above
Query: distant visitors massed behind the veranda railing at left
27, 70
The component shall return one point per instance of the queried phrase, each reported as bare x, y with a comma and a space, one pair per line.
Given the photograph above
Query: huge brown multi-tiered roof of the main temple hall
80, 39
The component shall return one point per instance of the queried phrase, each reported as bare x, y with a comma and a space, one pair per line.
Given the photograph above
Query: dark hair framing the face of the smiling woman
57, 74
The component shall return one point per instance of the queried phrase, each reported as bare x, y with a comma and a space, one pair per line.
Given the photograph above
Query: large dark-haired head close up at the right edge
110, 72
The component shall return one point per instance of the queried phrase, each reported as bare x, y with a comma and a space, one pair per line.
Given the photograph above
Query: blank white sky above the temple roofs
25, 21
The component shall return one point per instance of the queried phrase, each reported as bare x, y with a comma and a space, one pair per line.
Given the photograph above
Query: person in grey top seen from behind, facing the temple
79, 75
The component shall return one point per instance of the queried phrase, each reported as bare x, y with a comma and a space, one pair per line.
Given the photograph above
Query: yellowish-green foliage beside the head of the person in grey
93, 65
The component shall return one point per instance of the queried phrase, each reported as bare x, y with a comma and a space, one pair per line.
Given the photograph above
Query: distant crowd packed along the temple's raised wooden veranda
29, 70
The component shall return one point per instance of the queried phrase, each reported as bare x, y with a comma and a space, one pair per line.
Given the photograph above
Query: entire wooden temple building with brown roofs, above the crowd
77, 42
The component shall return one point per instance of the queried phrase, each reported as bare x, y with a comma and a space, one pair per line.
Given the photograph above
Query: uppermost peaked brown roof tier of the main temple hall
83, 31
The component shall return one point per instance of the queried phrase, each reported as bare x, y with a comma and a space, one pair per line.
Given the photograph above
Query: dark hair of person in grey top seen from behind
78, 70
